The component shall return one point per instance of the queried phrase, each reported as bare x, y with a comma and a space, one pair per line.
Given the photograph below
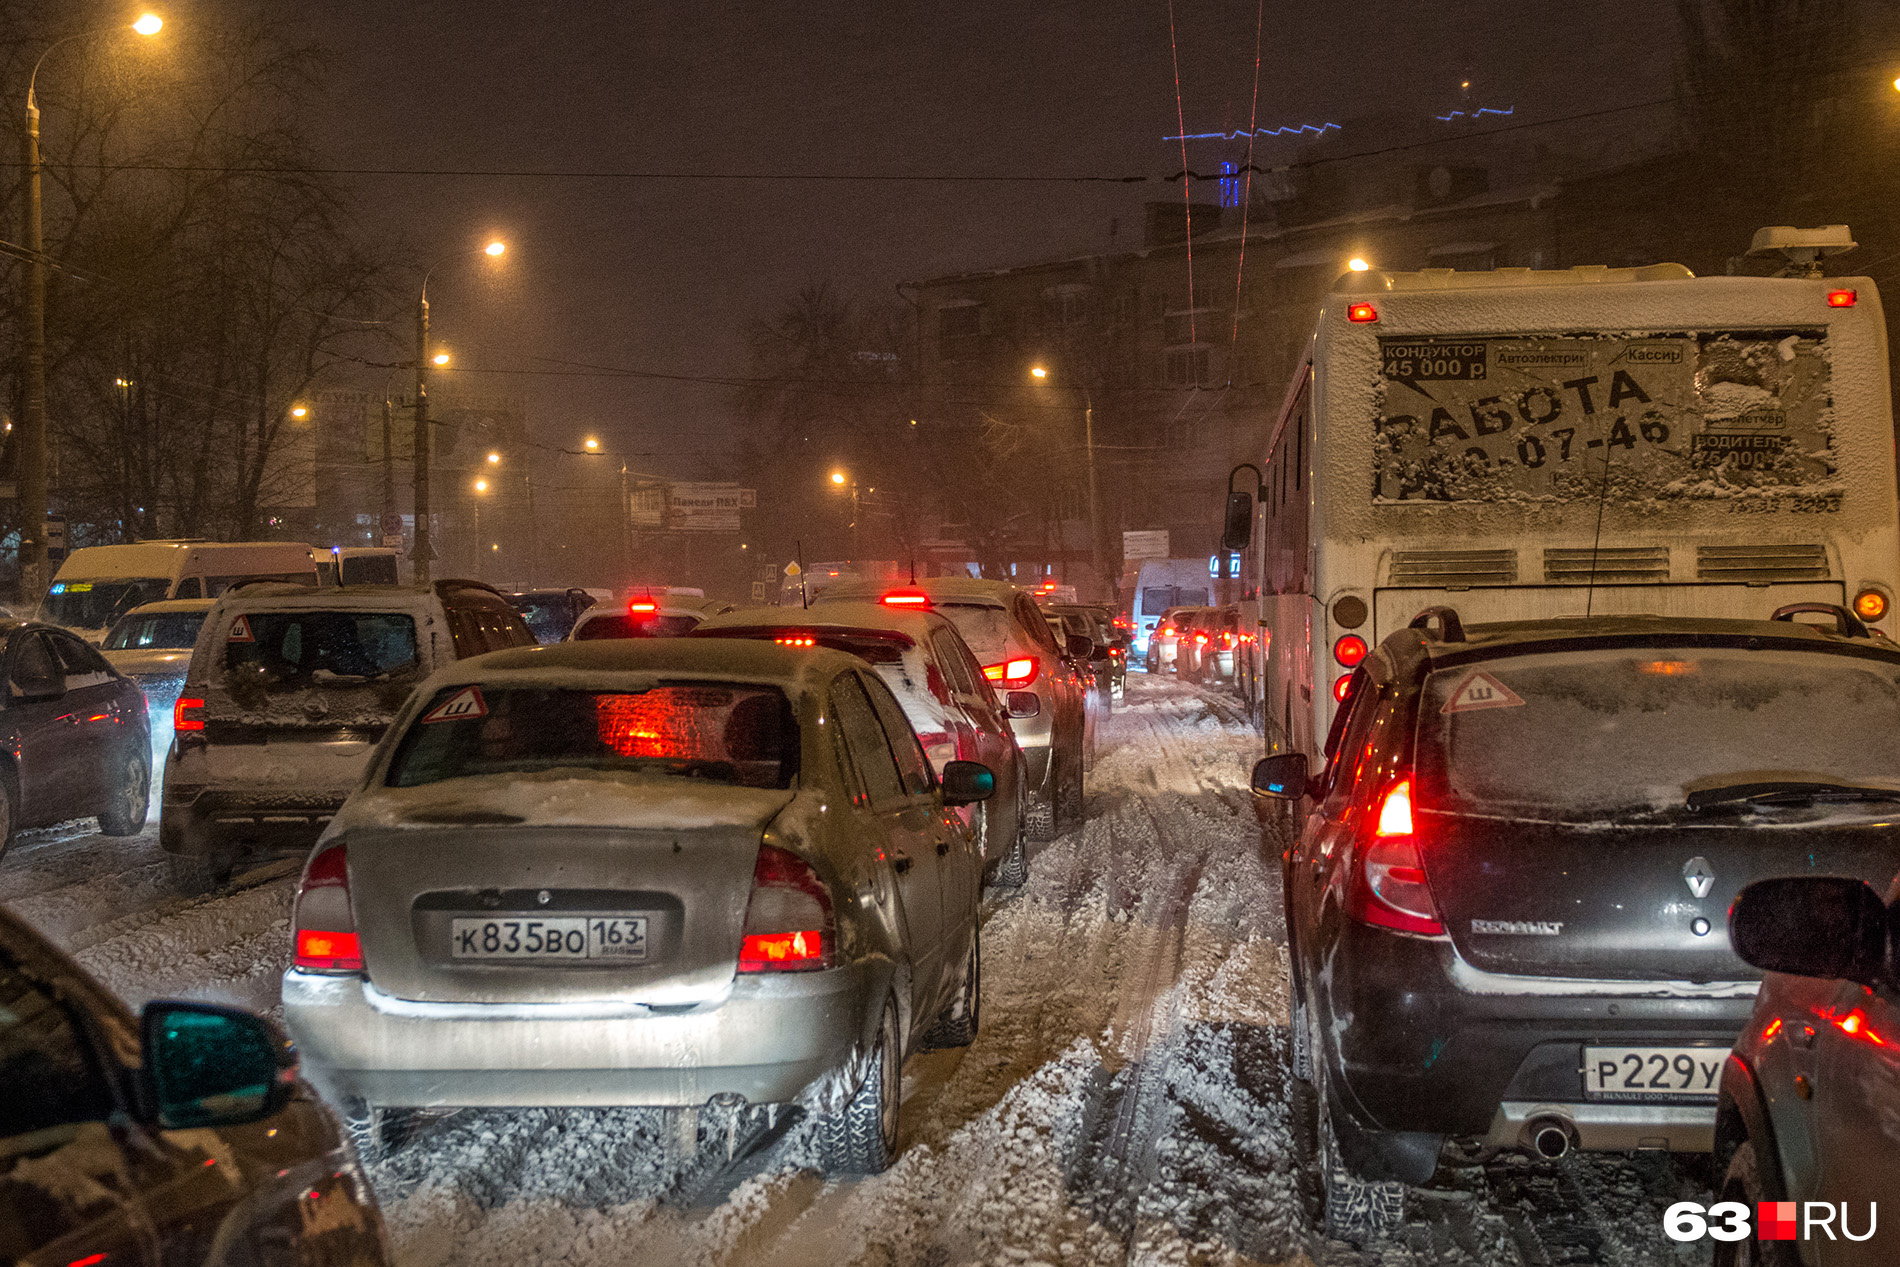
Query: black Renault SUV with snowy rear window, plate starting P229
1508, 903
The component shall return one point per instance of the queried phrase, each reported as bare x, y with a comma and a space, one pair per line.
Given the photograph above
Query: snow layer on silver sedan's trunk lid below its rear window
563, 799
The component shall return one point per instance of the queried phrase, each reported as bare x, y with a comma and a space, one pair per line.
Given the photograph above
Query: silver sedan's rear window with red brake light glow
723, 734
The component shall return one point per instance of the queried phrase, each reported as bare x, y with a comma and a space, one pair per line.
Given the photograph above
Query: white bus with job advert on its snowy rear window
1521, 445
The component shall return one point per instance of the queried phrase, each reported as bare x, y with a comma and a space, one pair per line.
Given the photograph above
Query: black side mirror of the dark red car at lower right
1812, 926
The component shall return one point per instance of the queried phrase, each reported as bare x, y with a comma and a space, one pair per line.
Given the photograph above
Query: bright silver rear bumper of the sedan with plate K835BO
767, 1042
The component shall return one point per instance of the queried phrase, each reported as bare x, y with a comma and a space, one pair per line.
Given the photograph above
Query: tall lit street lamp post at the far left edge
33, 577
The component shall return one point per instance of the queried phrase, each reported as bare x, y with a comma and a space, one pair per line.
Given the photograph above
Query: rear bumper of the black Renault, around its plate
1435, 1046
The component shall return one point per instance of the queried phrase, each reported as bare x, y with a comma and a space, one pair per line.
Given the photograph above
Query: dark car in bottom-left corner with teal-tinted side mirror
176, 1137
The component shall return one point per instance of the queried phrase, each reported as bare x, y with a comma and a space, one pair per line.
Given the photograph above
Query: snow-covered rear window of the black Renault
1582, 734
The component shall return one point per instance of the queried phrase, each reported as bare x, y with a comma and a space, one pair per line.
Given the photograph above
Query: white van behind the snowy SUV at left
98, 584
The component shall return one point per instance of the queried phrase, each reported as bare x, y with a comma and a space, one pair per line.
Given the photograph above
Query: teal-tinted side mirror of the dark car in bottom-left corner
214, 1067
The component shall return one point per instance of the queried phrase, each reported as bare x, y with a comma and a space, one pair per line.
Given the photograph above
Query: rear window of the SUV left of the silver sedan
297, 651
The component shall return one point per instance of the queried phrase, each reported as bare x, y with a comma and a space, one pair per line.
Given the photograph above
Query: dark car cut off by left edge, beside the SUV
75, 740
